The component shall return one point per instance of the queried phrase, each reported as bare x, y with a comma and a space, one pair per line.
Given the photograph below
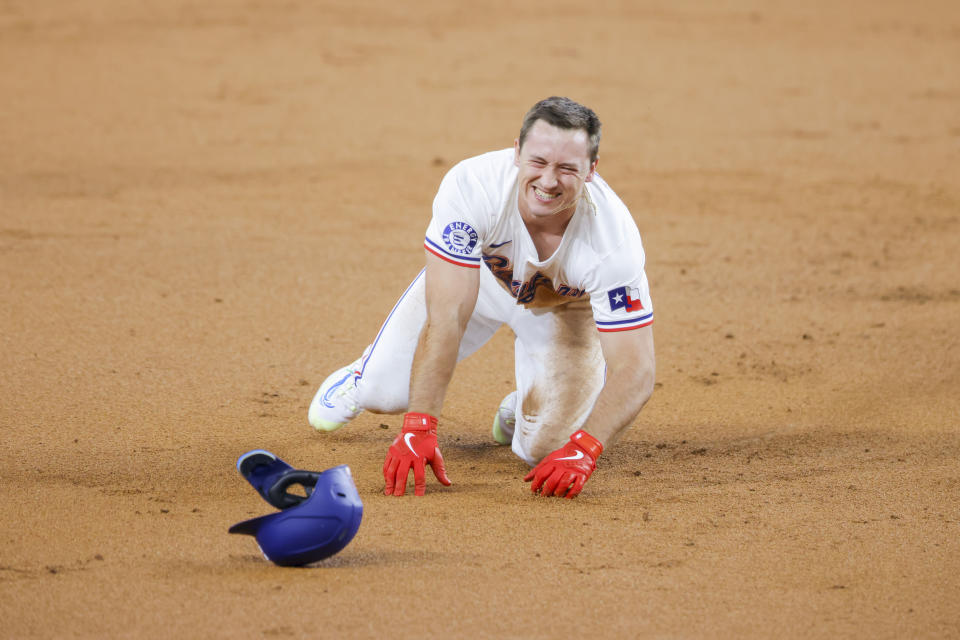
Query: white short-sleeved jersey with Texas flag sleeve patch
476, 220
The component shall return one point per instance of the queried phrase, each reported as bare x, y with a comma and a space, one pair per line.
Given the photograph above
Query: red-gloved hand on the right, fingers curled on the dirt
566, 470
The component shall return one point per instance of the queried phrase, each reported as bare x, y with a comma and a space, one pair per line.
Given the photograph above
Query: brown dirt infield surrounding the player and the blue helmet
205, 207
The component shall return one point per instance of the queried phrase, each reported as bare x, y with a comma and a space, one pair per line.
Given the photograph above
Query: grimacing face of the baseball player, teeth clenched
554, 164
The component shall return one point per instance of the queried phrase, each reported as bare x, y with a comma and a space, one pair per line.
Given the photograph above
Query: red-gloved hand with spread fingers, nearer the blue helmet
415, 447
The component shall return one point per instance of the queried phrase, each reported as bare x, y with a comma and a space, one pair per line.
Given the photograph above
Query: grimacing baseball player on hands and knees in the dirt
529, 236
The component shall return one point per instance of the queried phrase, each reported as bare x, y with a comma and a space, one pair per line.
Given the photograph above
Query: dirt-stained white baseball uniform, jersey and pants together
594, 282
